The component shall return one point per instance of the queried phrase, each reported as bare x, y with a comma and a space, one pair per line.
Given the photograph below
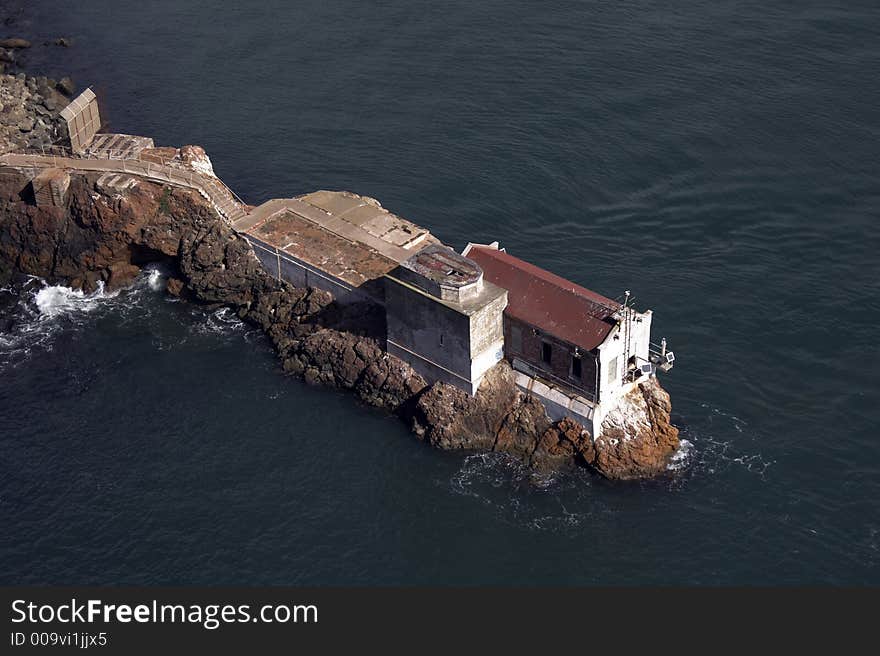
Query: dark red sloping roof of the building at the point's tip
546, 301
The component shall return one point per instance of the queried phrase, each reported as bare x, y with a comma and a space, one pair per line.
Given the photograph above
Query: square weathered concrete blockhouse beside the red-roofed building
443, 318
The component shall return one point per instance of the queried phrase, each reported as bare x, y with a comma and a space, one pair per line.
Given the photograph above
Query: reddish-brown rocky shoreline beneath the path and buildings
105, 235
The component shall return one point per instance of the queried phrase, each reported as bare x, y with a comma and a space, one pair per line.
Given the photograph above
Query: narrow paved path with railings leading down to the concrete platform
224, 201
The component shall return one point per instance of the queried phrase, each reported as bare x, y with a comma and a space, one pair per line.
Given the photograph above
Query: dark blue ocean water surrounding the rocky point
718, 159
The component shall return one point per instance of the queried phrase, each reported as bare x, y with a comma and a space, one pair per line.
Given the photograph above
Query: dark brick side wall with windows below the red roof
521, 342
